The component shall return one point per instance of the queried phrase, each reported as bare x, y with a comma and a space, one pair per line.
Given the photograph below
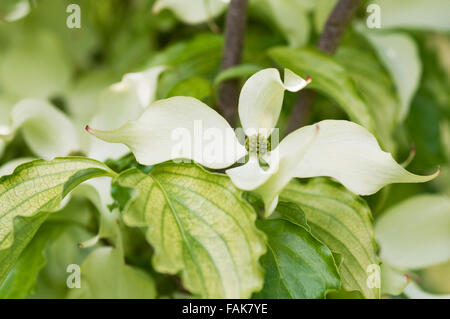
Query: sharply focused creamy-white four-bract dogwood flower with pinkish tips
342, 150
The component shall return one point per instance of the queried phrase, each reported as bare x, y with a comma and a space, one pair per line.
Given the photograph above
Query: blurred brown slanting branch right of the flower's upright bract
329, 40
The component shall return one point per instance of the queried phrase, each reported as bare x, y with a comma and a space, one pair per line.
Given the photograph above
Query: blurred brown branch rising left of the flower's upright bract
232, 53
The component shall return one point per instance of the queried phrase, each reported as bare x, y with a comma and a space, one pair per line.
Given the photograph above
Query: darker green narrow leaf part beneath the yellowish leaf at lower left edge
21, 279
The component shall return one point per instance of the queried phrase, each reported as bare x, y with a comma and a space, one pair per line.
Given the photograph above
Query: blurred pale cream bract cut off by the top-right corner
415, 14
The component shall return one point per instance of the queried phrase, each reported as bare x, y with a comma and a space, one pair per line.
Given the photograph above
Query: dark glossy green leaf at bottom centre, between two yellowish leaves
297, 265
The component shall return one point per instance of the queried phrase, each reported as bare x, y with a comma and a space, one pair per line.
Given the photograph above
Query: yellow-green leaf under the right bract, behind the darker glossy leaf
342, 221
